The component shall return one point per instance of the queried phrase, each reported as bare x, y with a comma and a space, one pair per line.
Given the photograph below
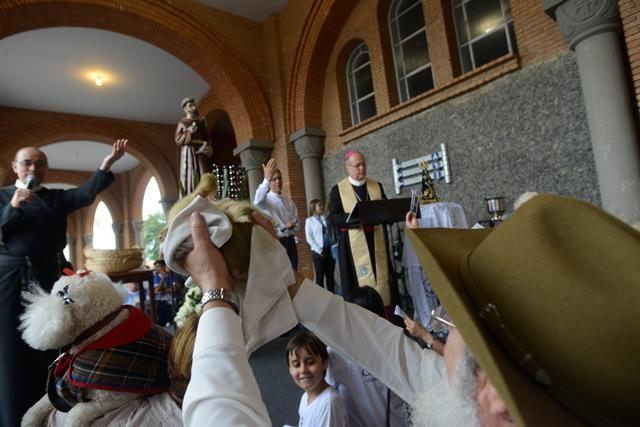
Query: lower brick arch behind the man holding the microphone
70, 128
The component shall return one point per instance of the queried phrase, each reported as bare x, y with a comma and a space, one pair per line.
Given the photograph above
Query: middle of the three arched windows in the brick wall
410, 49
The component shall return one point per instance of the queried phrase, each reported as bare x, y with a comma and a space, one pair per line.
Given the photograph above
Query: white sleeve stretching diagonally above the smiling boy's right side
370, 341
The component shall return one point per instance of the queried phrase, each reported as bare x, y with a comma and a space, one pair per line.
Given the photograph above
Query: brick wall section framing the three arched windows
537, 35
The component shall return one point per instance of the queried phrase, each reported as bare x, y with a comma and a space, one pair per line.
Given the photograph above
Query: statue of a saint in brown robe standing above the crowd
195, 149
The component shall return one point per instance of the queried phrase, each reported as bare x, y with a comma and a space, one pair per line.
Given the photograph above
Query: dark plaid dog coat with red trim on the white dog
130, 358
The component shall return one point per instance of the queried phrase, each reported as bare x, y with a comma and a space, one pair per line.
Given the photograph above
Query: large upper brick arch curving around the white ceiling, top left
169, 27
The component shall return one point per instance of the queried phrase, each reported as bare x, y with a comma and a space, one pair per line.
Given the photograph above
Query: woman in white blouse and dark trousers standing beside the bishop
317, 236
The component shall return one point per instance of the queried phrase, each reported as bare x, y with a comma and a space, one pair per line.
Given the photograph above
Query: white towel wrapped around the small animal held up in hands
266, 309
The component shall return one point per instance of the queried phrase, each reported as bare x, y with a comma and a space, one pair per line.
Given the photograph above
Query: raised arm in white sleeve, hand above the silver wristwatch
222, 386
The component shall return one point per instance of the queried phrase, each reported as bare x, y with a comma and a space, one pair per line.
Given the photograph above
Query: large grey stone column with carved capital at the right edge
592, 28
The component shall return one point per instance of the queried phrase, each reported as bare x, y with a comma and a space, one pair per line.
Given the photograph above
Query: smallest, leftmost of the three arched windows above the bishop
360, 82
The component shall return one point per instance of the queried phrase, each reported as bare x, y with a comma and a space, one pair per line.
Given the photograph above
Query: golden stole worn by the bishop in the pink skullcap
358, 243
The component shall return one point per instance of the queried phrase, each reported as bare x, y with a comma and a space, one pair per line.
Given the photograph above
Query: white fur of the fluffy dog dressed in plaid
48, 323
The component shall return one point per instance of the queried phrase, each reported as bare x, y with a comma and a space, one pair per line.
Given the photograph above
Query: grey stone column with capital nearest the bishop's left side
309, 144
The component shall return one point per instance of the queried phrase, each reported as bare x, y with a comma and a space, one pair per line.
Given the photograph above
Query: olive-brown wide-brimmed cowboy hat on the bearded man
549, 303
